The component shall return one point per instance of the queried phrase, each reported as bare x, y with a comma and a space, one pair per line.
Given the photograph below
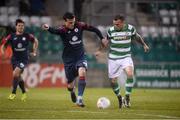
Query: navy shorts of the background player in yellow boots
19, 64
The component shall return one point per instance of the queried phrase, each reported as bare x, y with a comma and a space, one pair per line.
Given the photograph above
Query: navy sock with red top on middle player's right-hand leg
81, 85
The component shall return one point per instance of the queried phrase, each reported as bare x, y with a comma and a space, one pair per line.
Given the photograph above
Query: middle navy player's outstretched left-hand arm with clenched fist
51, 29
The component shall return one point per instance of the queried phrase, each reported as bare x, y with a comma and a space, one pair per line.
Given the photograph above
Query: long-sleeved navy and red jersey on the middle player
72, 40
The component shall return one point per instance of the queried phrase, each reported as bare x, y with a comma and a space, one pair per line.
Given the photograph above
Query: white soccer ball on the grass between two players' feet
103, 103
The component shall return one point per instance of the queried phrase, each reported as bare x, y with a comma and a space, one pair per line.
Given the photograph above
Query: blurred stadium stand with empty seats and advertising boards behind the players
158, 21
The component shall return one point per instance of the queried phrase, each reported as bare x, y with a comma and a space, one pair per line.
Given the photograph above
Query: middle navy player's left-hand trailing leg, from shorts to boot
71, 75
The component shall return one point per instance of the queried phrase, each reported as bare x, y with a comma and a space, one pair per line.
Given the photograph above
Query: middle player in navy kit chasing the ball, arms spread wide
74, 59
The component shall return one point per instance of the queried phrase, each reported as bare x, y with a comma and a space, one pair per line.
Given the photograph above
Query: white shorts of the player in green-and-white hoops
115, 67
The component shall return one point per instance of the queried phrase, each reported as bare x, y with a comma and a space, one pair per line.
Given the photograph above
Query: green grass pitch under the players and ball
52, 103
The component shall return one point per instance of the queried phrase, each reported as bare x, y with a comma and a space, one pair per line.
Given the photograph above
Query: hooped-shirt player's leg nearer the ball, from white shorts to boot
113, 73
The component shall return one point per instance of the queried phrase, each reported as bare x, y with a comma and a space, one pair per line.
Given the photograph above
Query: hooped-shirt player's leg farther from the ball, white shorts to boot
129, 70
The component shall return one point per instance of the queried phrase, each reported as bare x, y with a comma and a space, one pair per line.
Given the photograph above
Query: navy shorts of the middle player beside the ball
71, 70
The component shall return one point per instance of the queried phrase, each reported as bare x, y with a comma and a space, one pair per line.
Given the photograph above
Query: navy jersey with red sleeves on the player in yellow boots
19, 45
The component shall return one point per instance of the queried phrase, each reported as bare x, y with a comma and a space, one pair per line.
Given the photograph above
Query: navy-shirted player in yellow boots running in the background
19, 42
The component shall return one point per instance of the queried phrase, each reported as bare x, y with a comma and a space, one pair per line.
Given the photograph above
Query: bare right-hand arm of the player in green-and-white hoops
140, 40
